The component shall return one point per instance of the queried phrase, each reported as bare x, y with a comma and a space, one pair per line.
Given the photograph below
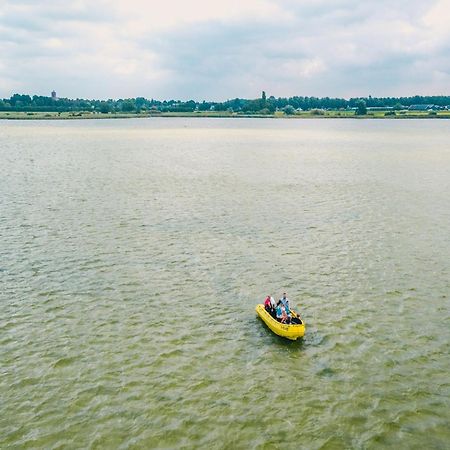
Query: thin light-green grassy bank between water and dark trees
299, 115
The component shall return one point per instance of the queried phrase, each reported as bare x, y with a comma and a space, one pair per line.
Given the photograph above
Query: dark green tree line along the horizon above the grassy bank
263, 105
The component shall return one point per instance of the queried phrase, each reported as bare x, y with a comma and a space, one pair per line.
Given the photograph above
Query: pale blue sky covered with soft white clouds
218, 50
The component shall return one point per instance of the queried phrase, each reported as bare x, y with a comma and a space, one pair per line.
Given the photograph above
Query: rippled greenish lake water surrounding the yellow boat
133, 253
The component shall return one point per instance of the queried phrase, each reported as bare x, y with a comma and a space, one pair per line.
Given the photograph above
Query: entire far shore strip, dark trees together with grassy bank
23, 106
